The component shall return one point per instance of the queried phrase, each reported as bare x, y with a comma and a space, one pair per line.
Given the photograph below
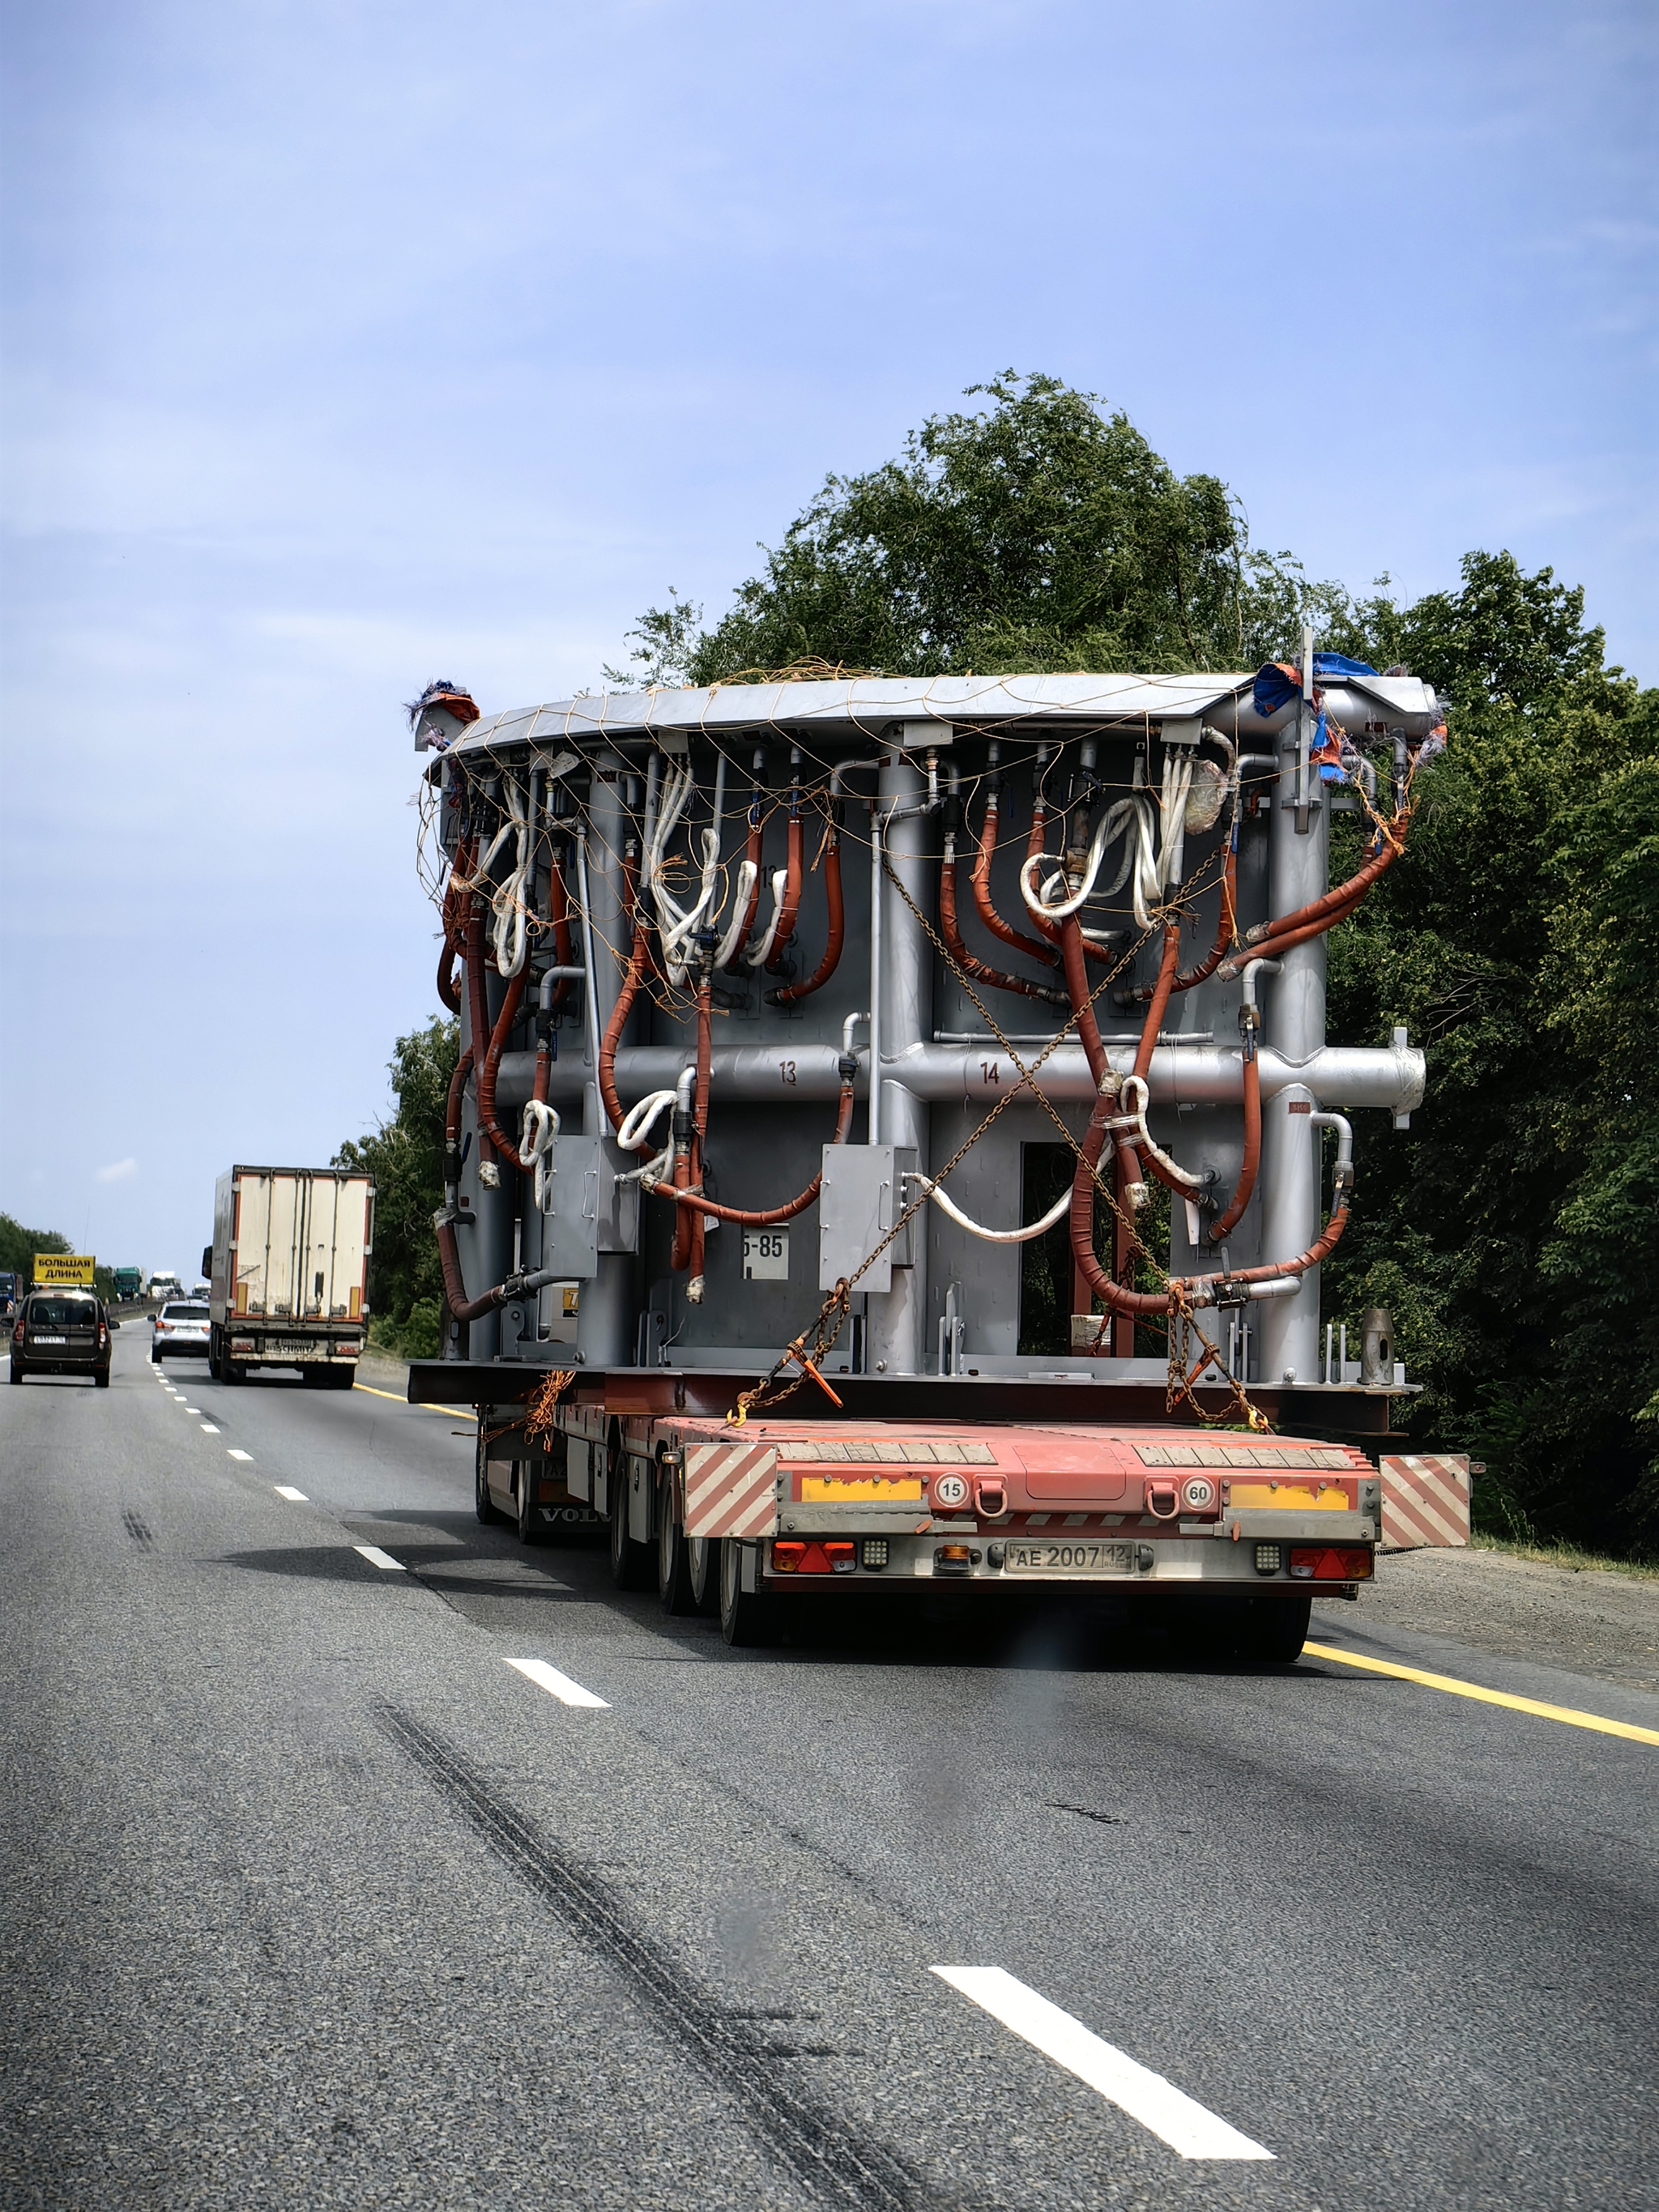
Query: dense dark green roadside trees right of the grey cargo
1516, 1229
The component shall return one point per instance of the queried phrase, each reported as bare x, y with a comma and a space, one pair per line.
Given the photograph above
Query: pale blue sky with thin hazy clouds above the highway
357, 344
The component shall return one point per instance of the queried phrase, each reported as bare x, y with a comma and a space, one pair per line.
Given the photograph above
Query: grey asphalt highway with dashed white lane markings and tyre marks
313, 1899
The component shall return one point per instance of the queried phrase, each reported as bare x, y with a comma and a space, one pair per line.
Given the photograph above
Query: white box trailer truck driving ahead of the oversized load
289, 1273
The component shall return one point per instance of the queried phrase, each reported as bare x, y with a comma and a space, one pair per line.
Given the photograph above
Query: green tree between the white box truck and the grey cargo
406, 1160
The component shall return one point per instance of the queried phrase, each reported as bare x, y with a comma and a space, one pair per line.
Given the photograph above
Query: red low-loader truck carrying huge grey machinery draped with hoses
921, 1089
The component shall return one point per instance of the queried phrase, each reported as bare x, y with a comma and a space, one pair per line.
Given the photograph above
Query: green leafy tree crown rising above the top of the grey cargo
1034, 534
